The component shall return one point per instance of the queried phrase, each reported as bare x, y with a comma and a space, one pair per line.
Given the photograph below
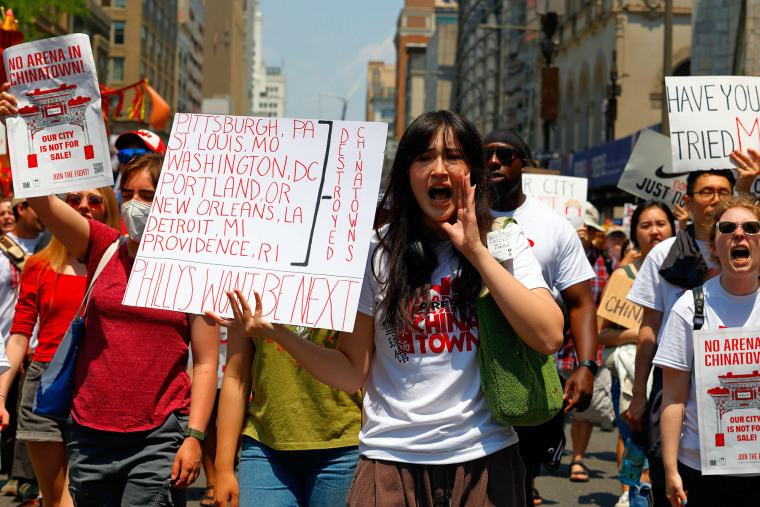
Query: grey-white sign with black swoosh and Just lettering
648, 173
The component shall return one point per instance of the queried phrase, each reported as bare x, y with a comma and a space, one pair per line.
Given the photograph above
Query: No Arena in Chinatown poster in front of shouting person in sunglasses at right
727, 372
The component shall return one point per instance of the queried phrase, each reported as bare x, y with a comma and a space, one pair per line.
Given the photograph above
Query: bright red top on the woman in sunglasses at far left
40, 286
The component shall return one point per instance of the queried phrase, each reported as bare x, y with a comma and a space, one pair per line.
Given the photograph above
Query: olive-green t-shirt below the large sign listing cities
290, 409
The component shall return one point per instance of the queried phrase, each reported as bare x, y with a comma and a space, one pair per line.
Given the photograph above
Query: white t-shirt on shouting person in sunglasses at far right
676, 348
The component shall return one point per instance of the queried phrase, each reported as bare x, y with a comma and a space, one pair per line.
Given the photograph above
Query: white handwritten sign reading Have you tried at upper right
710, 116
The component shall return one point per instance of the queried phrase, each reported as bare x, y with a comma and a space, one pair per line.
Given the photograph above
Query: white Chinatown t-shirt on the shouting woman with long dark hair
423, 403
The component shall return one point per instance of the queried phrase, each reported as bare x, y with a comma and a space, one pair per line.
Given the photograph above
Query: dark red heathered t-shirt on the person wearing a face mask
130, 371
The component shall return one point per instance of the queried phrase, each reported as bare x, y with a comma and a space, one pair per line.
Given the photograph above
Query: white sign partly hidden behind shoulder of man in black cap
565, 194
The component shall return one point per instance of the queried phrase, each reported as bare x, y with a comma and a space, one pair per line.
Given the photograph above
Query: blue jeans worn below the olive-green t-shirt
320, 477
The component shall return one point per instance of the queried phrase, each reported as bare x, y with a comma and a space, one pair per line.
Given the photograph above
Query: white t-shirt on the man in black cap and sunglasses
555, 243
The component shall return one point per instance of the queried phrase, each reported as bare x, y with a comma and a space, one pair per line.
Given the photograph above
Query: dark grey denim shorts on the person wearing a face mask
108, 468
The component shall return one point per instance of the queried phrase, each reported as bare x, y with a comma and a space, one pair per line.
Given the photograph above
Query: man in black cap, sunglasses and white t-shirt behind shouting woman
565, 269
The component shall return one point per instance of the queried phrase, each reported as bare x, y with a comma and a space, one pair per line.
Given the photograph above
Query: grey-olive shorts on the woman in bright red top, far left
33, 427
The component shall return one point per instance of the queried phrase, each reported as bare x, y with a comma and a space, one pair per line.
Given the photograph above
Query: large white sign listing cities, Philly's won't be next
280, 206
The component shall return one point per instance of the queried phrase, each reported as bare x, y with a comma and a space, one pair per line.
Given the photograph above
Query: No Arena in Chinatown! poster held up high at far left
57, 140
